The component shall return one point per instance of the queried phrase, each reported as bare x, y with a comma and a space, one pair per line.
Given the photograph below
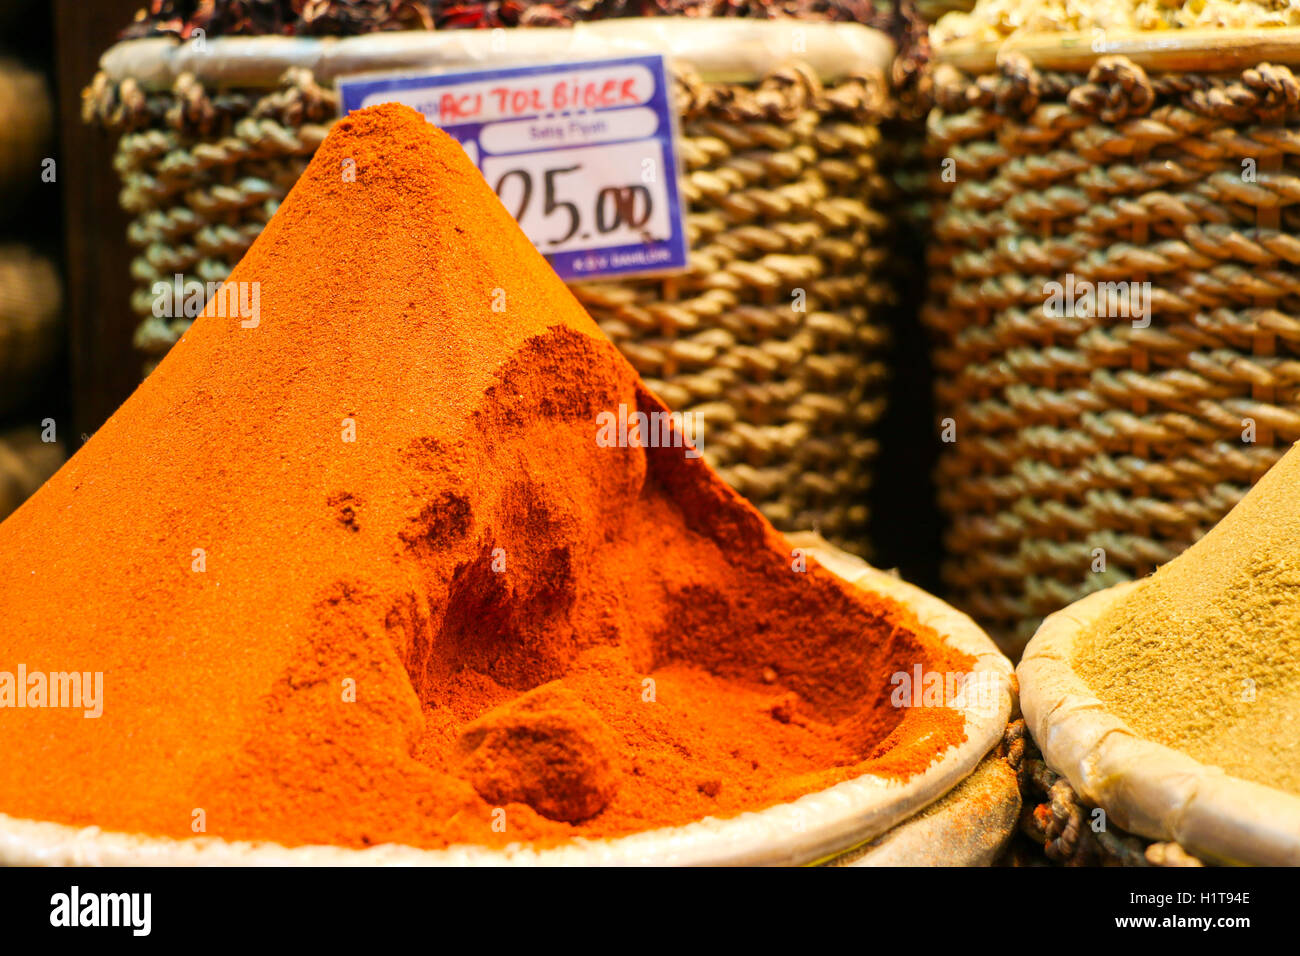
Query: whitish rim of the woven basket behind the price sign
720, 50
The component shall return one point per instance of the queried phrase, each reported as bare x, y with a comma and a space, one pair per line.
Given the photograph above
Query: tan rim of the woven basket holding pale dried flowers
1165, 51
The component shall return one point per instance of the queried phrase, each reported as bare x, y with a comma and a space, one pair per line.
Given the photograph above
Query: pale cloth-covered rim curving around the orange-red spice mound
812, 829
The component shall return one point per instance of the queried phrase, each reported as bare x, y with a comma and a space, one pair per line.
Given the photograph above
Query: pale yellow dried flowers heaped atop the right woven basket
995, 20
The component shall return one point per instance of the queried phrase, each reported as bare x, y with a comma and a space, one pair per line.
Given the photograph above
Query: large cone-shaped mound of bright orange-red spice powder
473, 605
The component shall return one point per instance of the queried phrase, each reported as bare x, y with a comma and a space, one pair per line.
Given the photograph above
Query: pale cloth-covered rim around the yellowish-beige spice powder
1149, 789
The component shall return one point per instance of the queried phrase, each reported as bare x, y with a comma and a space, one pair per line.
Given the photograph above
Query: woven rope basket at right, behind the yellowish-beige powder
1089, 451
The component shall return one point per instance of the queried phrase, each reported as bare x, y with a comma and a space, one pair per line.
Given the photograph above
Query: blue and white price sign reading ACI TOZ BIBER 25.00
584, 155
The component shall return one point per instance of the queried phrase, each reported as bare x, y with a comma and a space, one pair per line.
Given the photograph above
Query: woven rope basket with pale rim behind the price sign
781, 178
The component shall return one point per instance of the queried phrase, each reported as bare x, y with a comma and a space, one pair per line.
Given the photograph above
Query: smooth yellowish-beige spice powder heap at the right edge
1204, 656
